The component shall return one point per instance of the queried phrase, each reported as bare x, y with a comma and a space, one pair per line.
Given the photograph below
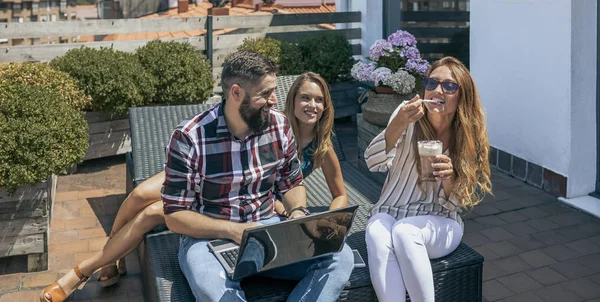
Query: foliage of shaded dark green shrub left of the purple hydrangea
329, 55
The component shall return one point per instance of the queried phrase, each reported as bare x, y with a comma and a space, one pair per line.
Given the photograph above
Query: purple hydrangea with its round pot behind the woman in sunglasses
395, 68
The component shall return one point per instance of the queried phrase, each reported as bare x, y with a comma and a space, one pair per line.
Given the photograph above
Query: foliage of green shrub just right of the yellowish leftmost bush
114, 79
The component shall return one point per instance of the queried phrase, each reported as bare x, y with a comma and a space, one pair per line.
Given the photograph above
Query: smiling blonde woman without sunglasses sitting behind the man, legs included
310, 111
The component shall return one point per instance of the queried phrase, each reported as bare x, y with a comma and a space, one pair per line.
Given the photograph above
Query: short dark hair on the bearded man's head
245, 68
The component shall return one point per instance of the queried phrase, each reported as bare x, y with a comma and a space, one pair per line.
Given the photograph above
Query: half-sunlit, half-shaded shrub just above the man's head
287, 55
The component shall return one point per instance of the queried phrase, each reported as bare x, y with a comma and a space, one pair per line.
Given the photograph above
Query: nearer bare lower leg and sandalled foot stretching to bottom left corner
123, 243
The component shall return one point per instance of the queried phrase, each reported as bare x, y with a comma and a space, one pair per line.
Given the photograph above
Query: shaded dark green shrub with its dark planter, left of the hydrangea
330, 55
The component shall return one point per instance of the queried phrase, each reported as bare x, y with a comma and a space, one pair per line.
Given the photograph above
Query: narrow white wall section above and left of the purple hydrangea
371, 16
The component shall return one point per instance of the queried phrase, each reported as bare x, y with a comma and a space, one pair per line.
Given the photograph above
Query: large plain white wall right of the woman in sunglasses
534, 62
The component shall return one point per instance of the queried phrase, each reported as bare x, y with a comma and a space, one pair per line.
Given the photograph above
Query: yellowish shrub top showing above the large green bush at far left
43, 75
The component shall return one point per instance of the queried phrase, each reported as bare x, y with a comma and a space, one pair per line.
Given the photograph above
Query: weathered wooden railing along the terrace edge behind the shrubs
228, 32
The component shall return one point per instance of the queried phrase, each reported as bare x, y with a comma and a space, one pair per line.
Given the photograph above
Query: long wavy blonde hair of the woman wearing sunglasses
469, 146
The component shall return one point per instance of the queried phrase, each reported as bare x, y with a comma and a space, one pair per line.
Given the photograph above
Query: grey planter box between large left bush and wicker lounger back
108, 135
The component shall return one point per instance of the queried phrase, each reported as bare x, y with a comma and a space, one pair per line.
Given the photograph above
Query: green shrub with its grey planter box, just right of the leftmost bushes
115, 81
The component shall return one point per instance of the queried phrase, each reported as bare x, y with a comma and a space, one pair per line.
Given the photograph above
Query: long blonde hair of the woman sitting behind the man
324, 128
